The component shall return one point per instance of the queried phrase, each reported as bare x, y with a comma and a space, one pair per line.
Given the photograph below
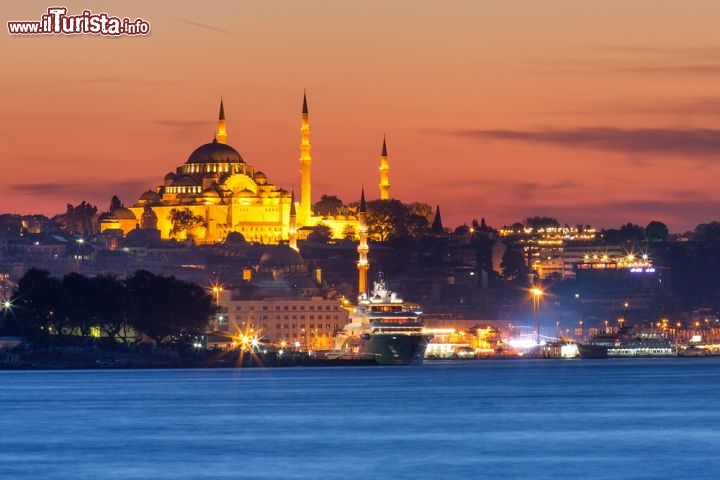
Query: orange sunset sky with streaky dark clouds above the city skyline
599, 112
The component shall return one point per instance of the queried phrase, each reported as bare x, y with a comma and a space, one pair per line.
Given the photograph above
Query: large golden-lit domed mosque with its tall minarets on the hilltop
215, 192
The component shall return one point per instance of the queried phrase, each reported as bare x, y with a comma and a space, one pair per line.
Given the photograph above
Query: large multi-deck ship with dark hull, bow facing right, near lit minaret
385, 327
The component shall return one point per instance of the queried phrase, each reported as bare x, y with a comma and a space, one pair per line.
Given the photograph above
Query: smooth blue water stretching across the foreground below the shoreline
606, 419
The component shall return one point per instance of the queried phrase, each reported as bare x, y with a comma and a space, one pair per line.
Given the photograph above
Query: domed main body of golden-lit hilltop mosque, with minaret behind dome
213, 194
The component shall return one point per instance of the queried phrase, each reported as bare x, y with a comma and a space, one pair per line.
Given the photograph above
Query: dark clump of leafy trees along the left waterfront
46, 308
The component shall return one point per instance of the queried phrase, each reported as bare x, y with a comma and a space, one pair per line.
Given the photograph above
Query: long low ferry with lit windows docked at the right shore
627, 342
